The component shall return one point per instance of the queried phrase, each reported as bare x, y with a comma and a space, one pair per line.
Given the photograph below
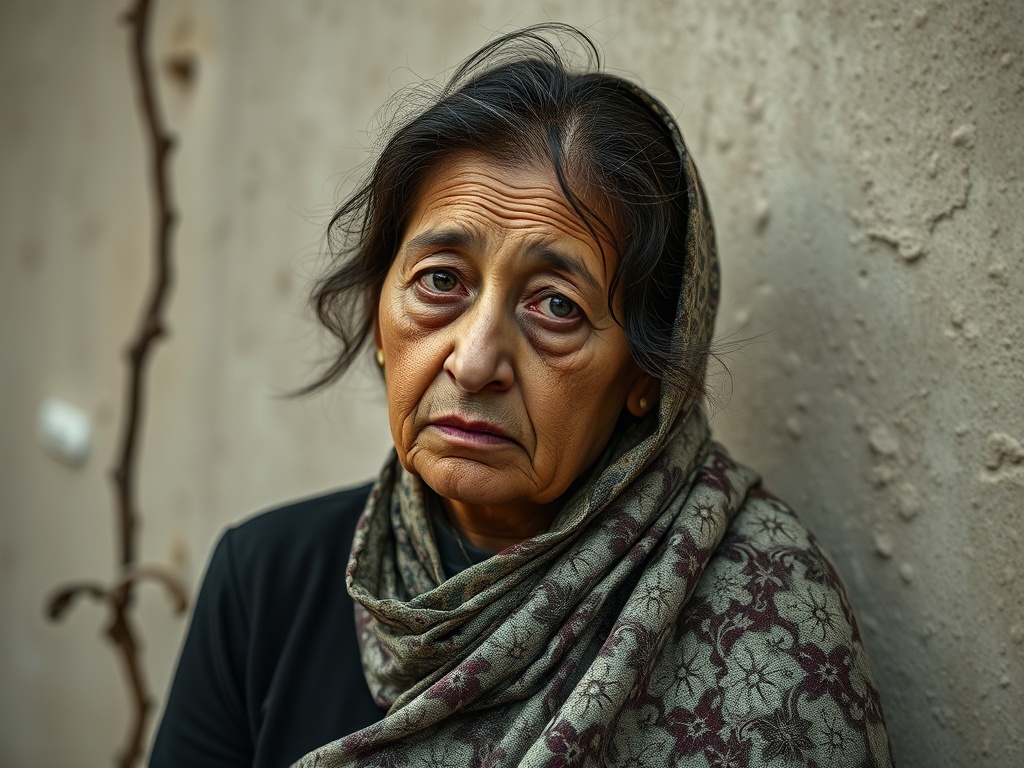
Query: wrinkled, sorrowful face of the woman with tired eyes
505, 371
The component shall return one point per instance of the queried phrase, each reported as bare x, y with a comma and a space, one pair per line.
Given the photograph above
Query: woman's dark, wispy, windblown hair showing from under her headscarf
519, 101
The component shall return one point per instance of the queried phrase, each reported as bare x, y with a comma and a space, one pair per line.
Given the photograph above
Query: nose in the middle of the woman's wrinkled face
482, 349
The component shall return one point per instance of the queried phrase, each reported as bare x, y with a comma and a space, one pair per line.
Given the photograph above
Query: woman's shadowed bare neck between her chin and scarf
497, 528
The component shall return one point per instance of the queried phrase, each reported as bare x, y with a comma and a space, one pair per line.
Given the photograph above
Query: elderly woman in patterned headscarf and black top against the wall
558, 567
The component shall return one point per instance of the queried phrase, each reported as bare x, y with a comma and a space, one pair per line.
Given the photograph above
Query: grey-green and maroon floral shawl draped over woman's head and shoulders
675, 614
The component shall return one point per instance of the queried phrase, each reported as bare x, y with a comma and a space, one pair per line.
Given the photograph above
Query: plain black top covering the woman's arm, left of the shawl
271, 668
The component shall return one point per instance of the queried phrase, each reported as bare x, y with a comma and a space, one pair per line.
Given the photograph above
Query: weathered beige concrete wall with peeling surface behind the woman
865, 162
